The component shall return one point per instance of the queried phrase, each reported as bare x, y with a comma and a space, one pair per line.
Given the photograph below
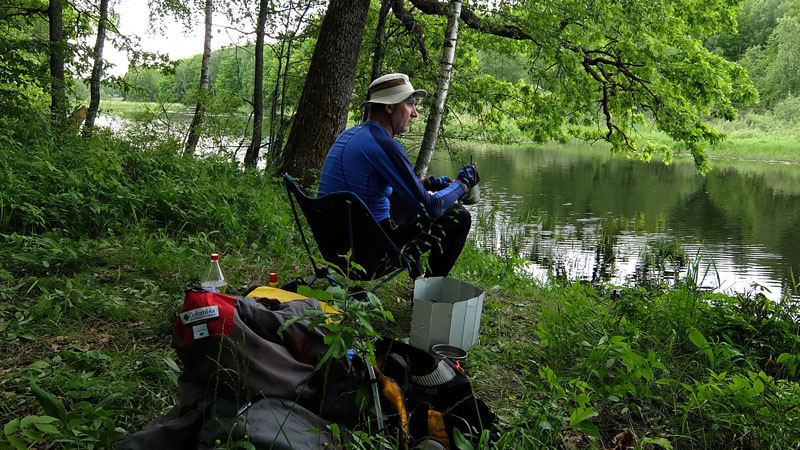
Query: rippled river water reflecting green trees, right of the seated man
584, 214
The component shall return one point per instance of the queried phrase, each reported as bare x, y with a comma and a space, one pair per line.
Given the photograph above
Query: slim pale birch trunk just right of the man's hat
437, 108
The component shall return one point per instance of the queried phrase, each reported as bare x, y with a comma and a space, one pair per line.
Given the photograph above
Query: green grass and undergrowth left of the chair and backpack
99, 240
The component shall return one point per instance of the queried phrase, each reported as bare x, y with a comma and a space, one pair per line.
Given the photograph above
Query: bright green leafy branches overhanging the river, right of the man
597, 70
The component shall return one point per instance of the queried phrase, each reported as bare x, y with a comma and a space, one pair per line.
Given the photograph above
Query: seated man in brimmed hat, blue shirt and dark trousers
368, 162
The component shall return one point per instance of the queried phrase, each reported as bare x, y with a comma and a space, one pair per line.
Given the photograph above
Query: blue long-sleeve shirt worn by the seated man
368, 162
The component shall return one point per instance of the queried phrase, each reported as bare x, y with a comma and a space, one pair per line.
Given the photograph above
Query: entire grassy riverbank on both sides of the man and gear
100, 239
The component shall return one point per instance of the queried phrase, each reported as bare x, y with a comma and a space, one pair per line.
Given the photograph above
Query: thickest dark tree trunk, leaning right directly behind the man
322, 111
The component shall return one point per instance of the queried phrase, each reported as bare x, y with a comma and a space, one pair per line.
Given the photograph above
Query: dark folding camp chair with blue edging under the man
346, 232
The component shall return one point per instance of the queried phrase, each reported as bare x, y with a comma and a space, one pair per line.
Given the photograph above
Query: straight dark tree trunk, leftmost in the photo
58, 89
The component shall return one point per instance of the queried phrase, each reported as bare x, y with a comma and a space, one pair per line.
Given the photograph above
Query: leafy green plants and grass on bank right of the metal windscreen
681, 368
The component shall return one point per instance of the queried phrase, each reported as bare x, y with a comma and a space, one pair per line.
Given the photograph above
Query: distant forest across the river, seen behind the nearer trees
767, 45
